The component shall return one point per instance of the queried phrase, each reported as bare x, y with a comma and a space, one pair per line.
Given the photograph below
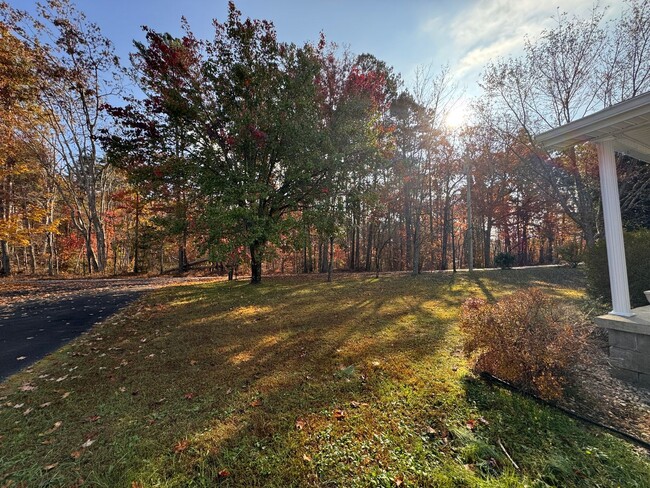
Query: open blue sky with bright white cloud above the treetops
463, 34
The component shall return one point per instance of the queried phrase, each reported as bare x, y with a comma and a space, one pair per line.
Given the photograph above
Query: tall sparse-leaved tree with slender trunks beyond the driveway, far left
79, 74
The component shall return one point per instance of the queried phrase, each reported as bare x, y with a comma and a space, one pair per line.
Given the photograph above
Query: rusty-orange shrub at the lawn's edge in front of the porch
525, 338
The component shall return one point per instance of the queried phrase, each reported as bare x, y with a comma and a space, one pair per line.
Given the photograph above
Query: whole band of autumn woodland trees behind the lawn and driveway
249, 155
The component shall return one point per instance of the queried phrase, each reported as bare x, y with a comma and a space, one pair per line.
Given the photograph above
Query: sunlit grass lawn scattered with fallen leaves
296, 382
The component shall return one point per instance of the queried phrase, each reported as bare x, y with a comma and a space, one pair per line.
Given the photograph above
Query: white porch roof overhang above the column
627, 123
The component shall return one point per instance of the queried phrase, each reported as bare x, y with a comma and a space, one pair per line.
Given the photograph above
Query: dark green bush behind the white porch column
637, 256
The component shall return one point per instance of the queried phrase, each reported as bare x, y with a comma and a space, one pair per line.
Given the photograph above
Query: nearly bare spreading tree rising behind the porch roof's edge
551, 86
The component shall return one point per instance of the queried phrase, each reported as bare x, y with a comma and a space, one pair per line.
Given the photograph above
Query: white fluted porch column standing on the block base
613, 228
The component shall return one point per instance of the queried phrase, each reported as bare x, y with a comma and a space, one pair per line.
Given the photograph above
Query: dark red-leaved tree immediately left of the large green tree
154, 139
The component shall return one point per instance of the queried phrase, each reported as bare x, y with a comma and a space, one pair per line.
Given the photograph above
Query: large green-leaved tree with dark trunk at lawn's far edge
262, 115
